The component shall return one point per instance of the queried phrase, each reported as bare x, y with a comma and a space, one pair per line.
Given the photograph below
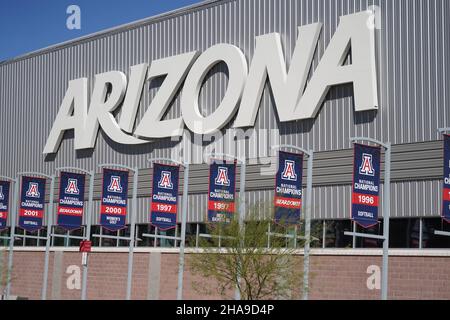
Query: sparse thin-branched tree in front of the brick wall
247, 262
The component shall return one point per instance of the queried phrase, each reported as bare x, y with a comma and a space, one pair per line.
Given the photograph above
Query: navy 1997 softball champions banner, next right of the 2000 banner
163, 212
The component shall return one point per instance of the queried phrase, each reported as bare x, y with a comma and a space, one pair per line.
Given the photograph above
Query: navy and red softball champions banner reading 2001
32, 197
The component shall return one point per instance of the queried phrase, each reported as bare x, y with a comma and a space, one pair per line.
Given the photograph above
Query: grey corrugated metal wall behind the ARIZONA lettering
412, 44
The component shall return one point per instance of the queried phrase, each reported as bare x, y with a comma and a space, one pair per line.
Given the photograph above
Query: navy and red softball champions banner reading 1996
366, 185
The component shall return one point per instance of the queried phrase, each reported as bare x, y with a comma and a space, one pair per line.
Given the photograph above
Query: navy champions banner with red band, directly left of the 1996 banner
288, 188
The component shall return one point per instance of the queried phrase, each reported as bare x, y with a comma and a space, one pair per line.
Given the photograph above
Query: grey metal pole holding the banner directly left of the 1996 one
308, 211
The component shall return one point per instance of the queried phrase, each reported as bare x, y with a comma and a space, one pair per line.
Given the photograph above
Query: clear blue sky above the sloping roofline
28, 25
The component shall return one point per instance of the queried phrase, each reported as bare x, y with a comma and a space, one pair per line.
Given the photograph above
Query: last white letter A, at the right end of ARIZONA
353, 32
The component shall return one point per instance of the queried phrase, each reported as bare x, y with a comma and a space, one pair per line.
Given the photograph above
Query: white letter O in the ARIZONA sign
233, 57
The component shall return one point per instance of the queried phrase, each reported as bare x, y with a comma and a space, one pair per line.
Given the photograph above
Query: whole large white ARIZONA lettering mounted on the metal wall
295, 98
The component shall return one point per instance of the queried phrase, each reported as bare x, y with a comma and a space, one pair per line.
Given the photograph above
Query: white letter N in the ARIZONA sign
268, 62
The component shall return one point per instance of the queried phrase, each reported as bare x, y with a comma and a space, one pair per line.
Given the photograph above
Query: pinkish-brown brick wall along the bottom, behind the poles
332, 276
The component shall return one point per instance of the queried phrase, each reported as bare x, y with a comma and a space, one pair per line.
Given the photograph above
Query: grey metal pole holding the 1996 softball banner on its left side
386, 215
